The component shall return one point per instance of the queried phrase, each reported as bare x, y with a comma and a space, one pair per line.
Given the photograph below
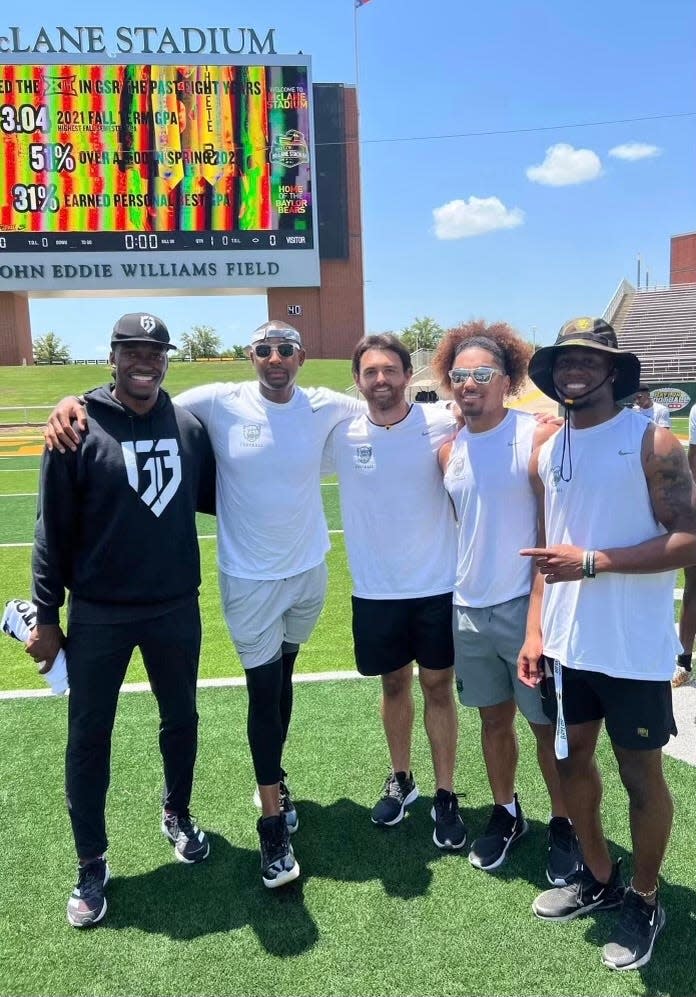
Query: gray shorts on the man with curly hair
486, 644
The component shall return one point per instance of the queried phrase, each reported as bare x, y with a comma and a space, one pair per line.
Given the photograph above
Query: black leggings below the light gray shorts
270, 707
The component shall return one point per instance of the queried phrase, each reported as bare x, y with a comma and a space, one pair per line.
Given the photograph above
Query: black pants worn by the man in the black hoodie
98, 656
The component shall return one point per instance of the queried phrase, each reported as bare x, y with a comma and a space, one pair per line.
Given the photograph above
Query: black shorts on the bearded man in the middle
390, 633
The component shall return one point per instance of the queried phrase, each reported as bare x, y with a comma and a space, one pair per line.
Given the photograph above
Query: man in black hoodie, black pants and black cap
107, 516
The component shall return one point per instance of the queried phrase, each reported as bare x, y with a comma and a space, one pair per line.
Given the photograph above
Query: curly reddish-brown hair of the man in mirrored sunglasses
509, 349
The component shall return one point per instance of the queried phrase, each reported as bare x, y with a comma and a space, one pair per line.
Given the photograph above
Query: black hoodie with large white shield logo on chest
116, 522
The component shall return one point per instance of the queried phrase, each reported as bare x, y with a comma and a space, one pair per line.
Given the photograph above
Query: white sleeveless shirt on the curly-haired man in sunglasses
487, 478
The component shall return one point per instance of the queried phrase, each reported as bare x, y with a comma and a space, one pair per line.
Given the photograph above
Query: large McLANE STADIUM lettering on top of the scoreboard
94, 40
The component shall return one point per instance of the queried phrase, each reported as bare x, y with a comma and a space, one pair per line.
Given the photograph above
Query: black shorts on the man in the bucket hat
637, 713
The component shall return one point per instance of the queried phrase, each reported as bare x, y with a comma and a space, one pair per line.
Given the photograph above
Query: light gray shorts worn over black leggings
260, 615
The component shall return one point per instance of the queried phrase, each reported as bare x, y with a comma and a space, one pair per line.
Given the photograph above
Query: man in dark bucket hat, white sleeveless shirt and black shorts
600, 633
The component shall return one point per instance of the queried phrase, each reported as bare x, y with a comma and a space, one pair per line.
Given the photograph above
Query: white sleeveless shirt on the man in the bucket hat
618, 624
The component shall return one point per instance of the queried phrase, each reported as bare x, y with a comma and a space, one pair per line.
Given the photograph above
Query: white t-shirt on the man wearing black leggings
270, 519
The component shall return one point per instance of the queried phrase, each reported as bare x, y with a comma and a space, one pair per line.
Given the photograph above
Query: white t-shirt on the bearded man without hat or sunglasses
397, 518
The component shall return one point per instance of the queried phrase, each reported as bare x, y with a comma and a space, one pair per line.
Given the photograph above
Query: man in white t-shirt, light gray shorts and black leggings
268, 437
